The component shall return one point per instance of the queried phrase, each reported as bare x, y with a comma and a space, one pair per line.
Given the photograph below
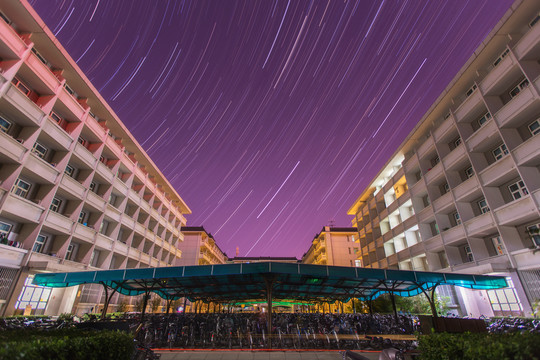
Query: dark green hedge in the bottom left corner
69, 344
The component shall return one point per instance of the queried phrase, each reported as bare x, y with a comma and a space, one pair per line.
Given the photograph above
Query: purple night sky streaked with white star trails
270, 117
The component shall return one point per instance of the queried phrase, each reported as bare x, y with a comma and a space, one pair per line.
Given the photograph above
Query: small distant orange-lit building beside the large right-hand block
334, 246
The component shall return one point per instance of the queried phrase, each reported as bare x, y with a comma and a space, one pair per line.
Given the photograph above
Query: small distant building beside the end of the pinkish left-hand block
200, 248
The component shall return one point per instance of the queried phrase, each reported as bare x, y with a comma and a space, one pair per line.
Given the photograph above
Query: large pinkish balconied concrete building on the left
77, 191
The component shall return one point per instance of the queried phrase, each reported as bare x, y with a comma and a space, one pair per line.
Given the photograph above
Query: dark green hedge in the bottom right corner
469, 346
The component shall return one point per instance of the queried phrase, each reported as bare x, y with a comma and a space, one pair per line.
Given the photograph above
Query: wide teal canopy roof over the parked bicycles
248, 281
